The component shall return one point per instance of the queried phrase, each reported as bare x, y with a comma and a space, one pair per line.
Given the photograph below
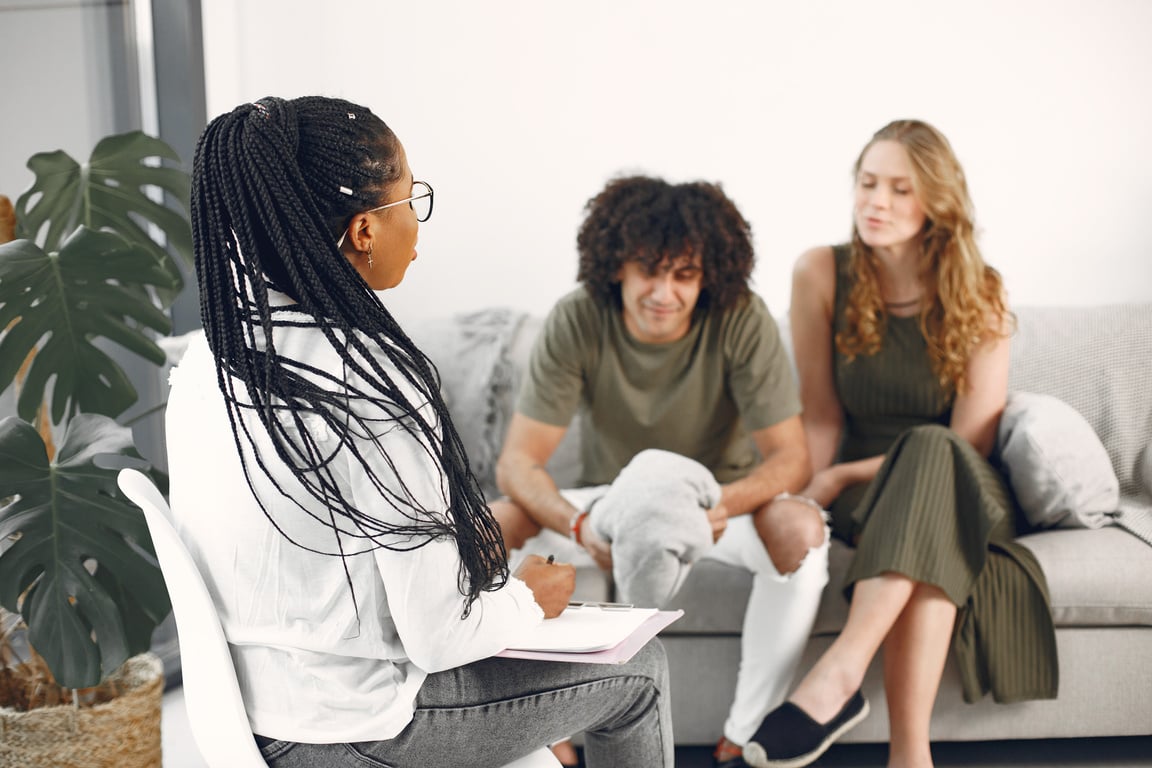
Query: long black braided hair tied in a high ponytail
275, 185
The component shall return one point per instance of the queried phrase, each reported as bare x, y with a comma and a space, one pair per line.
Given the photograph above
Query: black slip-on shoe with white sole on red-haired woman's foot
790, 739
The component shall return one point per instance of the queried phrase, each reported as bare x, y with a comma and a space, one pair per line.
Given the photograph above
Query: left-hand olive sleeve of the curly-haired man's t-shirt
556, 376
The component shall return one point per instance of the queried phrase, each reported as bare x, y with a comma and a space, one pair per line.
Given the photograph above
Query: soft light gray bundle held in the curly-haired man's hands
654, 514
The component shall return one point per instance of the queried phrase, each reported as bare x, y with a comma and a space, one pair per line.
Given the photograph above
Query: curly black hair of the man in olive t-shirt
649, 220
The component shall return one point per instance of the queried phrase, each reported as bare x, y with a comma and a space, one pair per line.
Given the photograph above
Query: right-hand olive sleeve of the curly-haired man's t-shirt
760, 372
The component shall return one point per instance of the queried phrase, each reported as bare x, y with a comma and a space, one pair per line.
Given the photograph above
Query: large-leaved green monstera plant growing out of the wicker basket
88, 275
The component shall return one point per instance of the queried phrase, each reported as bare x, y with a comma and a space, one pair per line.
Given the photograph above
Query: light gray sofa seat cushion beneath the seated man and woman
1096, 579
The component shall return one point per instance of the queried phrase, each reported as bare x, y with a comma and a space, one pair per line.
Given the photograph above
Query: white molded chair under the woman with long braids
216, 709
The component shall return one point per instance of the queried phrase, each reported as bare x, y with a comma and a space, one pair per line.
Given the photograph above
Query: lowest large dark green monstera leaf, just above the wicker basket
69, 518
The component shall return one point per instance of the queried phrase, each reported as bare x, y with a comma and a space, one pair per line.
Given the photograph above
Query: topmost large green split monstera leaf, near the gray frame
111, 192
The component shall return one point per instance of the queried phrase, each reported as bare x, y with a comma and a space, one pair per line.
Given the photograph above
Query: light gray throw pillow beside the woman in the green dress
1056, 463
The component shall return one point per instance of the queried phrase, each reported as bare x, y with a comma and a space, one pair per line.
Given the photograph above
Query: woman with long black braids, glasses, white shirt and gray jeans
324, 493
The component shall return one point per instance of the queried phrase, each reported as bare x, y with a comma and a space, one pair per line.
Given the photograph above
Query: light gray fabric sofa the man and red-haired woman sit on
1097, 360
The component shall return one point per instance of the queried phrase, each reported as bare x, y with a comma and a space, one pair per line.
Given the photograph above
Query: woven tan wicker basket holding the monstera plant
120, 734
